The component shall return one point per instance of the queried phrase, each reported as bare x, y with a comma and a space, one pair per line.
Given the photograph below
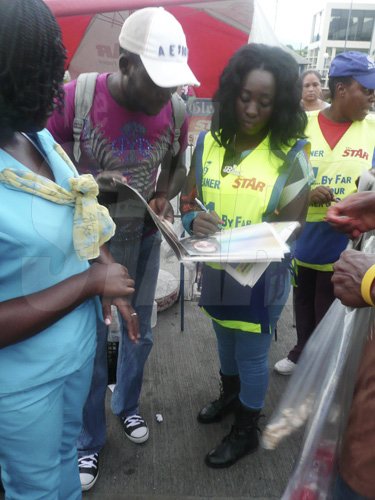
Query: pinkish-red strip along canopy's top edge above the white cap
62, 8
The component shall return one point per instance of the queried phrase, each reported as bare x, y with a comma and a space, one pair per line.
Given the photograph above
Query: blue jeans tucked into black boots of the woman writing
245, 354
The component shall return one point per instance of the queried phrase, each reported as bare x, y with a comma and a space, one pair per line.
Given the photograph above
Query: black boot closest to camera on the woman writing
242, 439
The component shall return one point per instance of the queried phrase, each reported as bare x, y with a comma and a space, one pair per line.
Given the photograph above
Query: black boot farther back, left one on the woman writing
228, 399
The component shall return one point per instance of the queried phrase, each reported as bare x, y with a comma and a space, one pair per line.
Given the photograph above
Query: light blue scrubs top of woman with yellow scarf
36, 252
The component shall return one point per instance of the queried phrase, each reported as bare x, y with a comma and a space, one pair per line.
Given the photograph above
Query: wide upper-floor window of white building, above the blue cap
358, 28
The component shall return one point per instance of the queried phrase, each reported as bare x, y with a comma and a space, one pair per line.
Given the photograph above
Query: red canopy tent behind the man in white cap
214, 30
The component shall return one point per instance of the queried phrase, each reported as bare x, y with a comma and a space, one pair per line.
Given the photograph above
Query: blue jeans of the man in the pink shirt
142, 258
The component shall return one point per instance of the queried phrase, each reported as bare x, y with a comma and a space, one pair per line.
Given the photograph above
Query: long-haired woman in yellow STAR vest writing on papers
251, 167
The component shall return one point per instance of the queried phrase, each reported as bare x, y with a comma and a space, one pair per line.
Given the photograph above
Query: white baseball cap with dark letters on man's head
158, 38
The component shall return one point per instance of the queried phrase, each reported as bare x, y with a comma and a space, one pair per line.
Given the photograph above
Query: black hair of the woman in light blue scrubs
32, 59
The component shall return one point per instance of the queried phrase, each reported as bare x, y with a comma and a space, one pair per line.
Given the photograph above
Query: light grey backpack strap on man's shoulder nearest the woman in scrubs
84, 96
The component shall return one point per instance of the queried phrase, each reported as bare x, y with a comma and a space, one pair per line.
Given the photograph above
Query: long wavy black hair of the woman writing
288, 120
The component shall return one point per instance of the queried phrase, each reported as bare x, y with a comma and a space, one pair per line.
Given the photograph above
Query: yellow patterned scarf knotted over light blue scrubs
92, 224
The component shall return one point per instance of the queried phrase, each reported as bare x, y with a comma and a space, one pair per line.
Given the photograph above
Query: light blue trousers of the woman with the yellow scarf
38, 435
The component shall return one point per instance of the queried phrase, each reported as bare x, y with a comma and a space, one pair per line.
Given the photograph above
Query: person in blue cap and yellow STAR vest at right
342, 148
